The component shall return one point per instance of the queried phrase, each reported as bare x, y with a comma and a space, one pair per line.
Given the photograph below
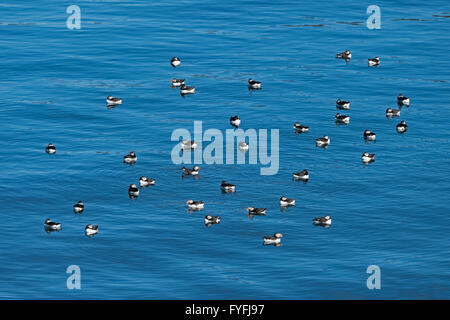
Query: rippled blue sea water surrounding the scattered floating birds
392, 213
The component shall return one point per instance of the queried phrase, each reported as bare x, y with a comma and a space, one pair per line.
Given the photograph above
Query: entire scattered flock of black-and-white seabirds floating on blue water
235, 121
